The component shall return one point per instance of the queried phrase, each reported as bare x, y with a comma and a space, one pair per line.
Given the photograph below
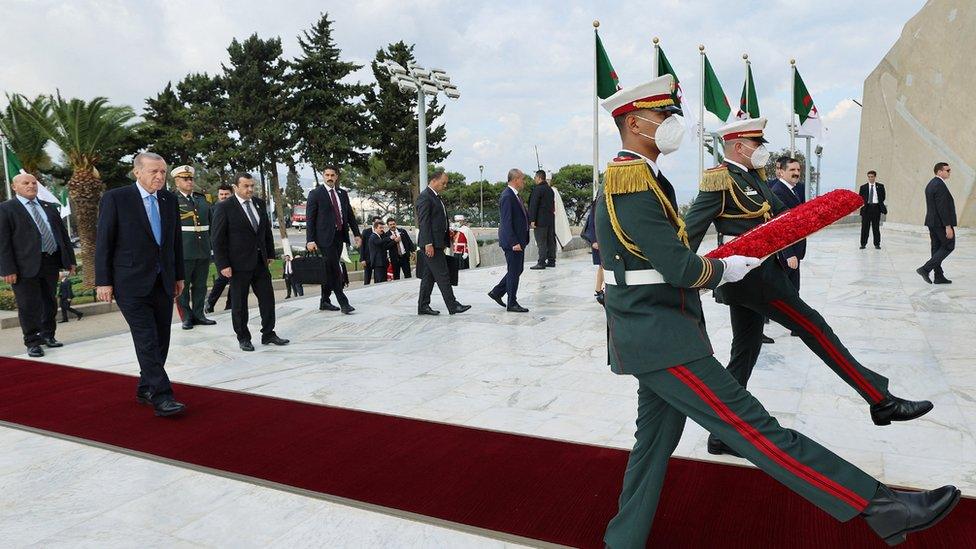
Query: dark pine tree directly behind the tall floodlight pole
394, 121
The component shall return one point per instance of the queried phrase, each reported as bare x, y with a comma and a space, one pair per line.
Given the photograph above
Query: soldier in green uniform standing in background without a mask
195, 221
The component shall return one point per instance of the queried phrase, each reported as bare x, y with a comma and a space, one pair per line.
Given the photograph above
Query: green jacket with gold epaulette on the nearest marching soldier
652, 326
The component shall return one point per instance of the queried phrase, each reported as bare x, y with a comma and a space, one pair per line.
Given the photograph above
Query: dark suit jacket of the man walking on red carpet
126, 253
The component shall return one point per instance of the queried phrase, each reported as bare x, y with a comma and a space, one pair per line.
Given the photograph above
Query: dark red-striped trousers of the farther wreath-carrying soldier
769, 293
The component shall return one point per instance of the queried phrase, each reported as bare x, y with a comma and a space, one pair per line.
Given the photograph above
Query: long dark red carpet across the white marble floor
542, 489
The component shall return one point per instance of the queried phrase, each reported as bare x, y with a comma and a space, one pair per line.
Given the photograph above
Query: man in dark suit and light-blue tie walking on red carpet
139, 263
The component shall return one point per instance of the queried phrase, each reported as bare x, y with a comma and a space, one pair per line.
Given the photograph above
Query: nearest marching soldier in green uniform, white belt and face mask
657, 334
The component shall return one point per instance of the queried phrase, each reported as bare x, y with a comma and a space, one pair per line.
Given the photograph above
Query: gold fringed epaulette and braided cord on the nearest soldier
633, 176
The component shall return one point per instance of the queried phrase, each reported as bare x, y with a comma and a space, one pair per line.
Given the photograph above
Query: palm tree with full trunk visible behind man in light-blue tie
83, 131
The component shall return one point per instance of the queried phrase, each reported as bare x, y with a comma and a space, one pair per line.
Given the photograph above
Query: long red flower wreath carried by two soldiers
791, 226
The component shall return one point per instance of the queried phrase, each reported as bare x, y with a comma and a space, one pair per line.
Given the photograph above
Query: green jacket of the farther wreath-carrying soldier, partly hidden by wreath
735, 200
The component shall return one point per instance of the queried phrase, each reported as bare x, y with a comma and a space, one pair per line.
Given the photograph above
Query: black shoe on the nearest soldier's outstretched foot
893, 514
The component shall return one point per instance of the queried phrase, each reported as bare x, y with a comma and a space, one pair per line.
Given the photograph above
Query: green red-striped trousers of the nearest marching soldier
705, 392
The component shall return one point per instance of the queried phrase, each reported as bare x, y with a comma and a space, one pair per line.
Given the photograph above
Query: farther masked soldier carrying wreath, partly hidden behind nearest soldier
735, 197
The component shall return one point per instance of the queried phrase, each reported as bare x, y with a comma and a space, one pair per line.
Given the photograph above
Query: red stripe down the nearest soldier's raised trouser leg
766, 446
